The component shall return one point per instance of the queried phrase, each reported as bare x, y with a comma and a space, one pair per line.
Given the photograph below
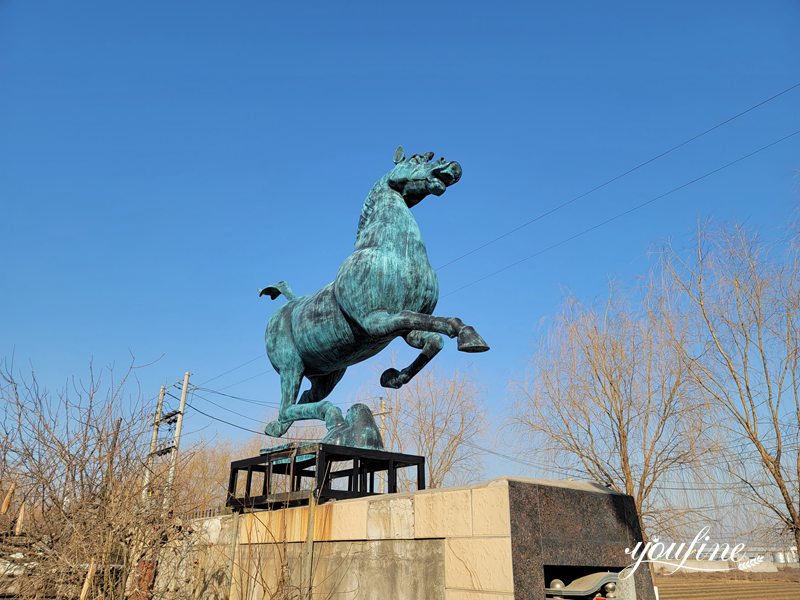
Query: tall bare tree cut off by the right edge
742, 354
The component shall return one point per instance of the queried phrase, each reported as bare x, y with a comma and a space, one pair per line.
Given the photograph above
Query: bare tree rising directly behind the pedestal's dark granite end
610, 398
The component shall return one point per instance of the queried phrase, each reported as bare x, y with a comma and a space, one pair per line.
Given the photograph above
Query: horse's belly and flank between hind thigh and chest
324, 338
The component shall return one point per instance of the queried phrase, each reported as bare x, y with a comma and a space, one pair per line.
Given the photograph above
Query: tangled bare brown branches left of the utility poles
76, 461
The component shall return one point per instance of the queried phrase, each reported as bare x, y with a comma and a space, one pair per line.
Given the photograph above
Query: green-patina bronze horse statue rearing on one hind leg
386, 288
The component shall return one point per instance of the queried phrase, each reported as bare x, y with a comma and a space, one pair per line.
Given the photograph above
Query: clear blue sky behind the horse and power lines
161, 161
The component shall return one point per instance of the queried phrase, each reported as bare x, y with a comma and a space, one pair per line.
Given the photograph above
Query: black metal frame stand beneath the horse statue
314, 461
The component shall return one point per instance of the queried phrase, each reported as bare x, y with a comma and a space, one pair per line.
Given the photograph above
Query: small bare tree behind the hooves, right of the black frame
440, 418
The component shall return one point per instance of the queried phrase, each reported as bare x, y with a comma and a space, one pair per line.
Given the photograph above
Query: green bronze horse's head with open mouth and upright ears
416, 177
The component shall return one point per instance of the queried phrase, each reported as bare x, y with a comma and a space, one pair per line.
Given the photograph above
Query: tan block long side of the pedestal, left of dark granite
453, 544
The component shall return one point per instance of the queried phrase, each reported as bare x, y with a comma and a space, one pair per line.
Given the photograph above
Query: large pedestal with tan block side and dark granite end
484, 542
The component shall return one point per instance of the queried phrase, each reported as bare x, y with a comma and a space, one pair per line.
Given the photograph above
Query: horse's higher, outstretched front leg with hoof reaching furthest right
385, 324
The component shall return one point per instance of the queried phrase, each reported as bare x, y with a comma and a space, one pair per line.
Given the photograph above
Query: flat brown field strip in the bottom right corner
752, 586
